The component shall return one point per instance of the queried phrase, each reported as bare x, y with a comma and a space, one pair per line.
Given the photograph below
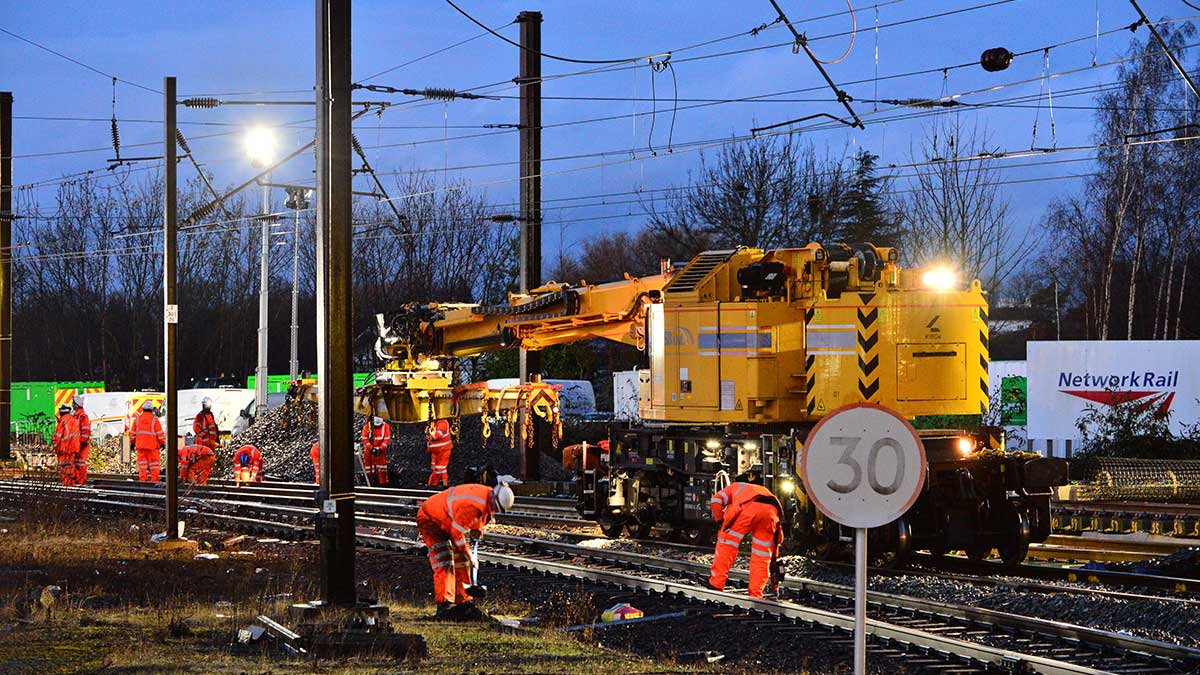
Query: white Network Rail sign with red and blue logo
1067, 378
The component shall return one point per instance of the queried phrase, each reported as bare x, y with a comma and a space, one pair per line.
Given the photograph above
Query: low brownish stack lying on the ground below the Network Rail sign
1137, 480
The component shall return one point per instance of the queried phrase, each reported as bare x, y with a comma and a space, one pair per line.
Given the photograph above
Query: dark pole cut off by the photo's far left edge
5, 276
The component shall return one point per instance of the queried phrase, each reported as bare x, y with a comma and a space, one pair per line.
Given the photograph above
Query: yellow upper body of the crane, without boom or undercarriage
723, 359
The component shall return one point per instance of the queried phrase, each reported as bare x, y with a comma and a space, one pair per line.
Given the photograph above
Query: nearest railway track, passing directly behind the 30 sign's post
946, 638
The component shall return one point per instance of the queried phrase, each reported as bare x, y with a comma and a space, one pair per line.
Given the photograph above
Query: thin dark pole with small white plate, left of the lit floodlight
171, 310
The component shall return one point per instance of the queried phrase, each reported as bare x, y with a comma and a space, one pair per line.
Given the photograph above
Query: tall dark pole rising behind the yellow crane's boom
531, 210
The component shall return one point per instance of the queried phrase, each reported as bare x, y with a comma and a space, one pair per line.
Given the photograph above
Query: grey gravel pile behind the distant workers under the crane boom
286, 434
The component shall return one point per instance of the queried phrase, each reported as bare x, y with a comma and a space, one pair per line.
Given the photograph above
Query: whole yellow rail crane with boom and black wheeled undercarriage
747, 351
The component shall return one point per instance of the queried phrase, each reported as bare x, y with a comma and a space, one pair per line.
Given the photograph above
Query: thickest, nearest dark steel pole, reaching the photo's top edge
334, 312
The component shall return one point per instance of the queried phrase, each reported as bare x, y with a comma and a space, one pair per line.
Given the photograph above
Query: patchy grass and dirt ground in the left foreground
125, 611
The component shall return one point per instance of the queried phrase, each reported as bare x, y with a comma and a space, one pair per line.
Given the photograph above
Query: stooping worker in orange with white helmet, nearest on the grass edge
446, 521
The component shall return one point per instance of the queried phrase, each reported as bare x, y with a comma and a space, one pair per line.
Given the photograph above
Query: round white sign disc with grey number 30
863, 465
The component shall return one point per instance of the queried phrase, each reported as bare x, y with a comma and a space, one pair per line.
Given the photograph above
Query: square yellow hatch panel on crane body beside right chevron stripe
932, 372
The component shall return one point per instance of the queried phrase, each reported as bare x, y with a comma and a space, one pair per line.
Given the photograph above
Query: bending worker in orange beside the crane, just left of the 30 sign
742, 510
